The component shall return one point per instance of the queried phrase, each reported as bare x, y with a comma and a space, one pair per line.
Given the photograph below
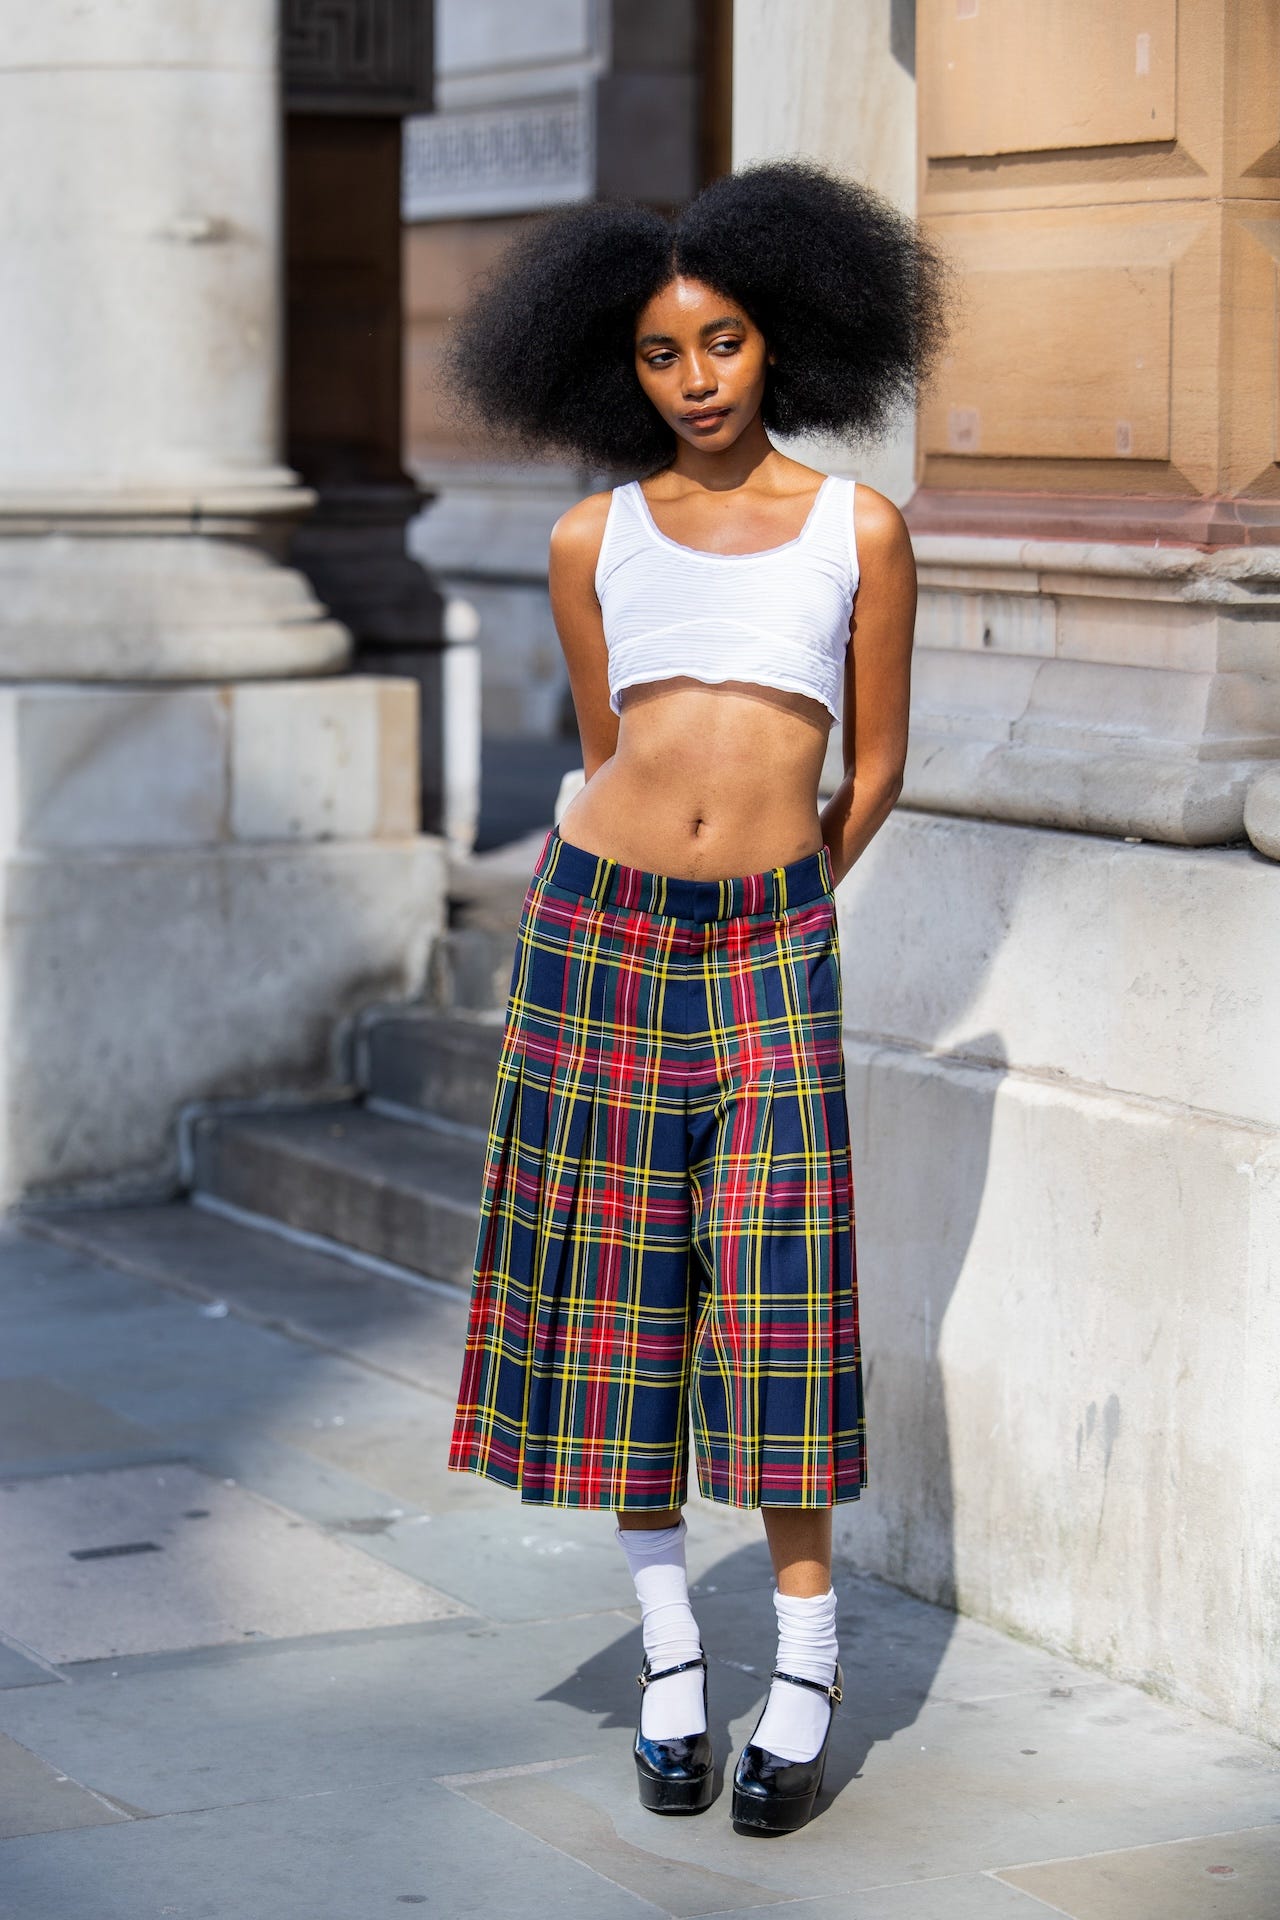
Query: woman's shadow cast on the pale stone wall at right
922, 1101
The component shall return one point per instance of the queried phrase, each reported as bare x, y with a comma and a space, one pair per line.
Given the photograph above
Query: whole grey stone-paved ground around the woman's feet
477, 1760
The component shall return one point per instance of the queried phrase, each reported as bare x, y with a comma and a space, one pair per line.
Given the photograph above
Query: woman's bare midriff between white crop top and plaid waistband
707, 782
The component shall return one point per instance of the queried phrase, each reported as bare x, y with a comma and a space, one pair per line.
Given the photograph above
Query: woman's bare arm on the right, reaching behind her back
878, 683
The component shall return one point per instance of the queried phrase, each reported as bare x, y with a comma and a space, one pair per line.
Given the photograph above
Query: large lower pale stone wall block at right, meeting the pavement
1072, 1322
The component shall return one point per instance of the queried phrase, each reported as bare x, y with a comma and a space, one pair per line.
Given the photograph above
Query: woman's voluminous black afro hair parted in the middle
849, 295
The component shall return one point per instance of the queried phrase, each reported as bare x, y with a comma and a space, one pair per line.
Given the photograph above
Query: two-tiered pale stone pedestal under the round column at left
197, 886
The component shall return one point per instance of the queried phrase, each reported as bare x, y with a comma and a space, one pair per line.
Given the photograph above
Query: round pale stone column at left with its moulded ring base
141, 487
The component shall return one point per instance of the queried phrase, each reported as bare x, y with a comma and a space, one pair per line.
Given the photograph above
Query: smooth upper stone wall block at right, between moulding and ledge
1143, 971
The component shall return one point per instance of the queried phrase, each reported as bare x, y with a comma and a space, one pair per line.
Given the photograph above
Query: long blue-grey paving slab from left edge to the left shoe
333, 1712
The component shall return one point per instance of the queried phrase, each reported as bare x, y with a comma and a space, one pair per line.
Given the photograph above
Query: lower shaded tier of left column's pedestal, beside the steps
143, 982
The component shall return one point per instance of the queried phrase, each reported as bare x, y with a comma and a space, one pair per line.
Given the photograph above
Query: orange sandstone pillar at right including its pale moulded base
1099, 519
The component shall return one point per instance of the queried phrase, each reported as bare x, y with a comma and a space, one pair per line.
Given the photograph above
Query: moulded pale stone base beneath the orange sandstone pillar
1104, 688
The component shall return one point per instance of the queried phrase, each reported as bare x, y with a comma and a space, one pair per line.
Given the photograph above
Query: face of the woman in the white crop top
699, 354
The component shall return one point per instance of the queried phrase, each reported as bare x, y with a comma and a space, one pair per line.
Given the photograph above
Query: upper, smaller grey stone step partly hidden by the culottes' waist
433, 1063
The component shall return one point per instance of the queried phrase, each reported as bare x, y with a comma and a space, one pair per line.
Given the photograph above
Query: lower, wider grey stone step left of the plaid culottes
387, 1188
